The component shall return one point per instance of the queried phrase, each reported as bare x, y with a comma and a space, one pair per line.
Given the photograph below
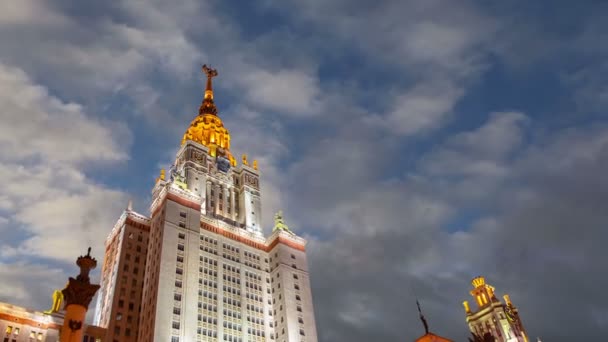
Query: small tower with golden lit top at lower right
501, 320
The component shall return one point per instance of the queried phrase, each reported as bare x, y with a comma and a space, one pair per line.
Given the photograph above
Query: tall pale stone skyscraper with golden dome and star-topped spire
210, 274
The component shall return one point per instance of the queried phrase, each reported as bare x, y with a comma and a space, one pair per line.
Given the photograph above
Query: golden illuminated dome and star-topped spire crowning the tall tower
207, 128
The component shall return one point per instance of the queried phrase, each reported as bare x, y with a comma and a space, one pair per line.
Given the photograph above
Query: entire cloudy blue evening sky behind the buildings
415, 144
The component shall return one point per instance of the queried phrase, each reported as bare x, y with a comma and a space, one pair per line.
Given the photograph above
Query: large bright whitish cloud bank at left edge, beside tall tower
44, 146
